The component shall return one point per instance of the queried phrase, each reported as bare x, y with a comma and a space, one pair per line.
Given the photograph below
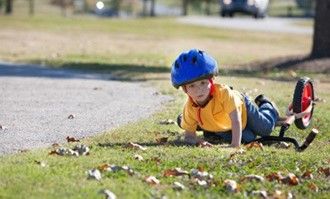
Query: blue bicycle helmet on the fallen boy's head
191, 66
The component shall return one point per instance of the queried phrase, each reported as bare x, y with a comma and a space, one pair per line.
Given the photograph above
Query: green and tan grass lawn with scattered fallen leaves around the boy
143, 49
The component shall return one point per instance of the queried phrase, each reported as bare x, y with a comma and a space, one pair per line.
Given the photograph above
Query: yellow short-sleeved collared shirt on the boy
214, 116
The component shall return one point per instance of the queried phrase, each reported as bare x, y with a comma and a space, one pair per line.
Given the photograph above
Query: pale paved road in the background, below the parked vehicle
268, 24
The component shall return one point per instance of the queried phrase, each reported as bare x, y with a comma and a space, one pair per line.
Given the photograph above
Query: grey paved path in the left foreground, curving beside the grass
35, 104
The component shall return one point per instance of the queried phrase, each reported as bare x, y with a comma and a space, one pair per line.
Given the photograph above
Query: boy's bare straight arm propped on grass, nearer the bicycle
236, 130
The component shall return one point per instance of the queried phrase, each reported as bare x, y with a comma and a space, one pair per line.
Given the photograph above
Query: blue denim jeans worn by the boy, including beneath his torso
260, 122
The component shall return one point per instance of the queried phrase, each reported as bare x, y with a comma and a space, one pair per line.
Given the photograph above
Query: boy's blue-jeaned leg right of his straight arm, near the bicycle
261, 120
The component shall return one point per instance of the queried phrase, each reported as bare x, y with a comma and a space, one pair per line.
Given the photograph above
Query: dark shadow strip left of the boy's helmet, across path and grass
70, 70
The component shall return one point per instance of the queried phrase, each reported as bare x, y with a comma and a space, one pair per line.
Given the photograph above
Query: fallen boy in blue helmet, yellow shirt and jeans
215, 108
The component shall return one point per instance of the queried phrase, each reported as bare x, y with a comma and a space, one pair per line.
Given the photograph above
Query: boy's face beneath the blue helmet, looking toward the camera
199, 90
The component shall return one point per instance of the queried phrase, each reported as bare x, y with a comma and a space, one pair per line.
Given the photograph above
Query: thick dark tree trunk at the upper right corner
321, 38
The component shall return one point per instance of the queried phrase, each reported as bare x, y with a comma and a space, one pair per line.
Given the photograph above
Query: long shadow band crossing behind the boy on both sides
266, 69
